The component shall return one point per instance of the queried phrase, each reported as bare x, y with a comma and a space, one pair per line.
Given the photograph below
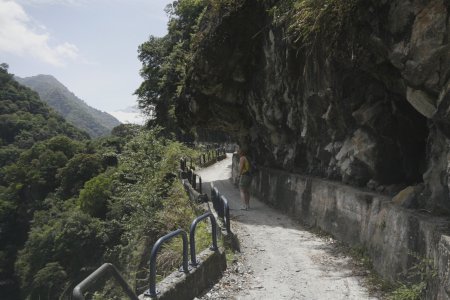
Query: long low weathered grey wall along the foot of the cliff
389, 233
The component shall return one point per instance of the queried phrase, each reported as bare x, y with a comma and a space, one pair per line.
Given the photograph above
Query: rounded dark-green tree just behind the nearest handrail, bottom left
61, 242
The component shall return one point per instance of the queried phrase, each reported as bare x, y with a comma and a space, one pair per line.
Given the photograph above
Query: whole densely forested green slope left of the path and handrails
68, 203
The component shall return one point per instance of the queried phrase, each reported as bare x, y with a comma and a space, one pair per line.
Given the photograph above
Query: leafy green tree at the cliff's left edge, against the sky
164, 61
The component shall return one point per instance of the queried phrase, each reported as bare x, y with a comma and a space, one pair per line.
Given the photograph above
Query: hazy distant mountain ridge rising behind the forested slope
72, 108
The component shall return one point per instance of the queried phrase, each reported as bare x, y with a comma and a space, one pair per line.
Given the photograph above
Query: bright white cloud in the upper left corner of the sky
19, 36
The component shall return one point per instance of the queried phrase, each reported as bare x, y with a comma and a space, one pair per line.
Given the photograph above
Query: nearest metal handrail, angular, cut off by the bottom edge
106, 268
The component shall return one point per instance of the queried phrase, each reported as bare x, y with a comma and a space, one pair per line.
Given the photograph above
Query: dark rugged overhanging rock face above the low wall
373, 110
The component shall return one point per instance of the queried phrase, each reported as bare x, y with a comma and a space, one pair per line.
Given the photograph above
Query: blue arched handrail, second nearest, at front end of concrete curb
152, 289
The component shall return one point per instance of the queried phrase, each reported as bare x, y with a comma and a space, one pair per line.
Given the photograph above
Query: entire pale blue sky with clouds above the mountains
88, 45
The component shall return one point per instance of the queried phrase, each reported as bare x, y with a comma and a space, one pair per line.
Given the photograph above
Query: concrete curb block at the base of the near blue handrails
181, 286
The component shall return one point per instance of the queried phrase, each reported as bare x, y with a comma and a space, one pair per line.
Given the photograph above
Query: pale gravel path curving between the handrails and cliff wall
279, 259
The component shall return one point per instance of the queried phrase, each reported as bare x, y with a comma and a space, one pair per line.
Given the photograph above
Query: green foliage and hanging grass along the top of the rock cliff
166, 61
